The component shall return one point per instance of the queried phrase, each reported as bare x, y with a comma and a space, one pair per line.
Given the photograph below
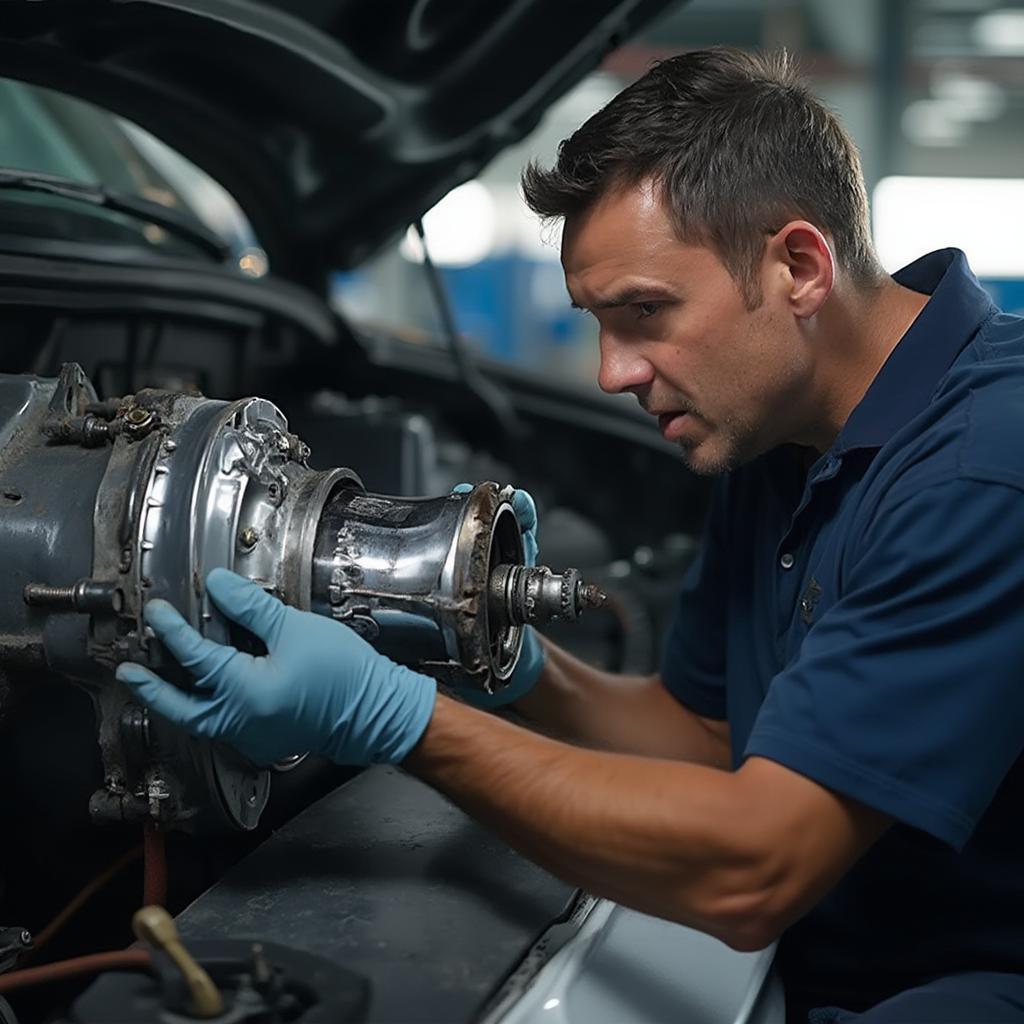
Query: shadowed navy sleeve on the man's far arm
694, 660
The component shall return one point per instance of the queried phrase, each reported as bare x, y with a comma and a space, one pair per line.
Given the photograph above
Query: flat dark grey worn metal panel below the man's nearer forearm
388, 879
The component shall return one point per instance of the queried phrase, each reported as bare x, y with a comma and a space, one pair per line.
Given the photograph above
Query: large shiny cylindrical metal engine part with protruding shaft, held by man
109, 505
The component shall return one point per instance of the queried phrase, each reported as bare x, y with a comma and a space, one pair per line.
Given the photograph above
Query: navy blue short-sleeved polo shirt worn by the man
863, 624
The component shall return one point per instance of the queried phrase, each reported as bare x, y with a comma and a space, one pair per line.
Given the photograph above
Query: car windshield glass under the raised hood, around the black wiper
44, 132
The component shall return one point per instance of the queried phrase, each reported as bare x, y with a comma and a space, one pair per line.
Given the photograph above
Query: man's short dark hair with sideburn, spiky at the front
739, 145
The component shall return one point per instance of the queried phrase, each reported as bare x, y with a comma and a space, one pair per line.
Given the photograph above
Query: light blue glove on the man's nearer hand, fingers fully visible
320, 688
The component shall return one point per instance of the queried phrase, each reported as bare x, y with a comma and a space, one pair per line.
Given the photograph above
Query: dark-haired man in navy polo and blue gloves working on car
831, 752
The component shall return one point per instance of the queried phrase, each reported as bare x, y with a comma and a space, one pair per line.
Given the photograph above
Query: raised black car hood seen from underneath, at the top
334, 123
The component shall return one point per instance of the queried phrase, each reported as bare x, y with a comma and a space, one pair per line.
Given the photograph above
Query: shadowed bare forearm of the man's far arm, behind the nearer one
626, 714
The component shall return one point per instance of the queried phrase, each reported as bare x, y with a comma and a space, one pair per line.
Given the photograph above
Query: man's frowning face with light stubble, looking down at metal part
726, 382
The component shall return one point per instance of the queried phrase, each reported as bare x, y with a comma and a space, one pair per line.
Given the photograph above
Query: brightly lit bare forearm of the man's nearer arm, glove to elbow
664, 837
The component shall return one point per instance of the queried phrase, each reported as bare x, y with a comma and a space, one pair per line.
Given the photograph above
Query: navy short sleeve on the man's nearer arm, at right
909, 694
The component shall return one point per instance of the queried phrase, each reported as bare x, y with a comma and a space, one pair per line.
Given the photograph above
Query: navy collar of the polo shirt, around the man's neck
907, 381
